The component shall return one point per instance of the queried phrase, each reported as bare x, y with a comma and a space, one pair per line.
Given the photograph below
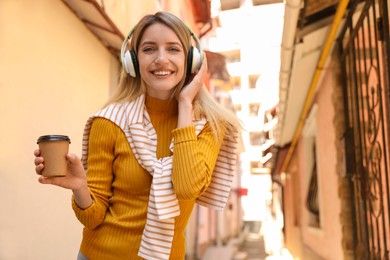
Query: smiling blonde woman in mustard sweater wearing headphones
160, 145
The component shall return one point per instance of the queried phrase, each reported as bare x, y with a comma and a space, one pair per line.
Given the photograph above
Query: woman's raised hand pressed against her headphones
189, 91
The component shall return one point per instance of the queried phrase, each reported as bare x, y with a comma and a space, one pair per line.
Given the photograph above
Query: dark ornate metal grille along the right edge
364, 47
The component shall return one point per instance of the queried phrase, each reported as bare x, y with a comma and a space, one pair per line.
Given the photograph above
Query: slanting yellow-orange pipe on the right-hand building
341, 8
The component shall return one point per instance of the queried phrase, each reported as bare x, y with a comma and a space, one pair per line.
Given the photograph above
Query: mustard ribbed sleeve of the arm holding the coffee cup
101, 154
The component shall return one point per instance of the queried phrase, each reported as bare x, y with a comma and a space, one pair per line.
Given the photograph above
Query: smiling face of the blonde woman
161, 60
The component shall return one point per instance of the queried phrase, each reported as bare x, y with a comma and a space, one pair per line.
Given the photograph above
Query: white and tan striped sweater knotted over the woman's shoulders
163, 205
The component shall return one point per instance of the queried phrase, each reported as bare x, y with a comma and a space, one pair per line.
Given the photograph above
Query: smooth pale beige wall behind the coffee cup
53, 74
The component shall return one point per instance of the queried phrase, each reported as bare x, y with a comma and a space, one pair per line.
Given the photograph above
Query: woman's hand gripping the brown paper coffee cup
75, 178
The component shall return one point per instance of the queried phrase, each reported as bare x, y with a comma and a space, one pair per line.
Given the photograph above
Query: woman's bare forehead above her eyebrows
159, 32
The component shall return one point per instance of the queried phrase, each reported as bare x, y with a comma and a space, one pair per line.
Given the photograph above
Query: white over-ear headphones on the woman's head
130, 61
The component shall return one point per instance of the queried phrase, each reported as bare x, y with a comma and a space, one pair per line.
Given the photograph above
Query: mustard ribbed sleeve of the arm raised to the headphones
193, 161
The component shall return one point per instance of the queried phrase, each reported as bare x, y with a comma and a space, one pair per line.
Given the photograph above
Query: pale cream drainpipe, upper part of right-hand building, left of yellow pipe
291, 15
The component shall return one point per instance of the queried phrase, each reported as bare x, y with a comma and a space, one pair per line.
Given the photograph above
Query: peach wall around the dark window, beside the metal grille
305, 241
